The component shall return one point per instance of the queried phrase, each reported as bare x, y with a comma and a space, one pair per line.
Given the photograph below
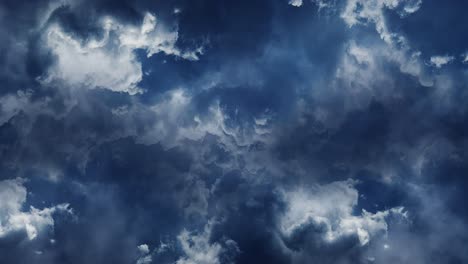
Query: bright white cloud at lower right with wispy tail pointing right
332, 206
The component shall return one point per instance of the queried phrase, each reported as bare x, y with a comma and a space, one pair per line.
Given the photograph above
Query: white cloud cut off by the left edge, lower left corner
13, 219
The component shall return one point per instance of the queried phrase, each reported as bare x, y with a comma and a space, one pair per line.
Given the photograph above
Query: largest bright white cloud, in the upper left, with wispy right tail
109, 62
